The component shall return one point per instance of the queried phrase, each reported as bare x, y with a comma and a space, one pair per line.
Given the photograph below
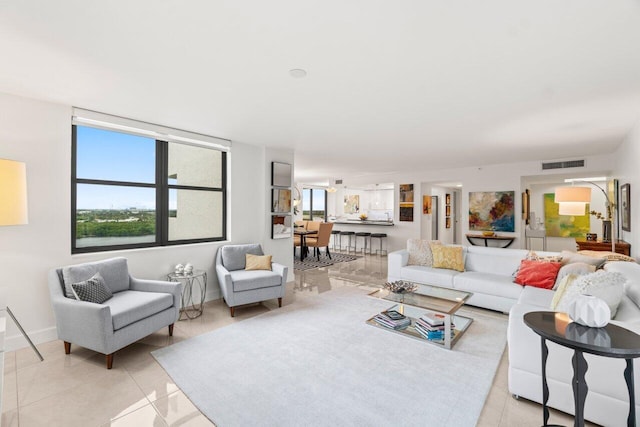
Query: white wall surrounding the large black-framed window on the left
39, 134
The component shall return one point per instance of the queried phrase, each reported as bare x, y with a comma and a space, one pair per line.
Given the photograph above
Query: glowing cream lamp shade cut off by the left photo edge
13, 193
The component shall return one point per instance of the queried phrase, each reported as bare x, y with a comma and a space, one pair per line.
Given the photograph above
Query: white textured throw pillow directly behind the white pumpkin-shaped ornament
604, 285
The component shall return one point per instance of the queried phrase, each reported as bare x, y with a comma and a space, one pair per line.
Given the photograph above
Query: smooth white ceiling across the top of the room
391, 85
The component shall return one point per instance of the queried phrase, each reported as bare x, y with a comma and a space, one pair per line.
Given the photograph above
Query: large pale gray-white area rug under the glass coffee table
316, 363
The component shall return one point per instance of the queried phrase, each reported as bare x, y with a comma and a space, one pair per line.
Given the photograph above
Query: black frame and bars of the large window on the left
161, 186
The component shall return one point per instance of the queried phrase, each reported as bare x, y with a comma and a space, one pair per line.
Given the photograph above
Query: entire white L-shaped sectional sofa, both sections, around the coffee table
489, 275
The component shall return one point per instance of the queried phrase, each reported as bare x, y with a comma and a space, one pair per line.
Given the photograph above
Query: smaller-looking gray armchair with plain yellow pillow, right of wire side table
240, 286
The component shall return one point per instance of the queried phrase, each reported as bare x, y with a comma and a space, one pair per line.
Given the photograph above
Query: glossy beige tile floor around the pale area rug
77, 390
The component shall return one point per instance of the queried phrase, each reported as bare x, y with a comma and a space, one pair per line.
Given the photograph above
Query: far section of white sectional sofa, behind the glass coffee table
488, 275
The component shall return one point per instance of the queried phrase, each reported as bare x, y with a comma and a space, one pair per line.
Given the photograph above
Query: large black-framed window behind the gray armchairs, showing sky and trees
131, 191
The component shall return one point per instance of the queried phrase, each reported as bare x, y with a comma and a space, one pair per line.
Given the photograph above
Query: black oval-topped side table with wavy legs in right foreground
608, 341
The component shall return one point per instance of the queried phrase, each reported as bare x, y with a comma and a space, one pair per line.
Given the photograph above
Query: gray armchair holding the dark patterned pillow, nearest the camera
138, 307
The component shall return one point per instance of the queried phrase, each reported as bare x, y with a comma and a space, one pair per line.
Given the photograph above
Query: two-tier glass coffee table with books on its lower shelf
428, 298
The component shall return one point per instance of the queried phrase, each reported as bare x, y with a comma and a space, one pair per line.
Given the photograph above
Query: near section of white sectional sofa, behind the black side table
607, 400
